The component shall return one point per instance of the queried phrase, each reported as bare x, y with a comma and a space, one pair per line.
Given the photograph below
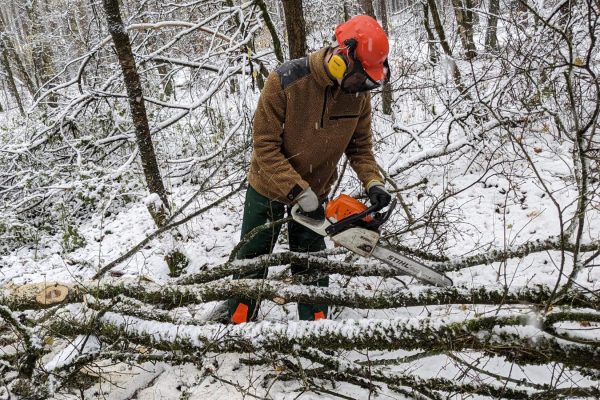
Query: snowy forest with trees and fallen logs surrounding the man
116, 251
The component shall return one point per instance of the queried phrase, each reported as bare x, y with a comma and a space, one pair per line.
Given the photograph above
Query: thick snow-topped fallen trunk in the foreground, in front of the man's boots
512, 337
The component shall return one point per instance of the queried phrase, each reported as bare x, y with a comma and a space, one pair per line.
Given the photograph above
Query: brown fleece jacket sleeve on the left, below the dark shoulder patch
268, 124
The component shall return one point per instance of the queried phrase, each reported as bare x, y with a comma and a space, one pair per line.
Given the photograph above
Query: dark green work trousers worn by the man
259, 210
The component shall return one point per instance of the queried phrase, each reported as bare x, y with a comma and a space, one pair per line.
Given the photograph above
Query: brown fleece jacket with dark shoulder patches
302, 126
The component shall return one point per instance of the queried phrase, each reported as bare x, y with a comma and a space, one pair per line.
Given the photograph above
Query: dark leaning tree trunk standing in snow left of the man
138, 108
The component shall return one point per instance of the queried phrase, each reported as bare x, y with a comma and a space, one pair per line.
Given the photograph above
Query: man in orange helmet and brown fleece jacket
311, 111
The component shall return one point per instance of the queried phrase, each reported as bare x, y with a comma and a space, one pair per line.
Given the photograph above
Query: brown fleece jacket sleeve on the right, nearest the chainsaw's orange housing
360, 149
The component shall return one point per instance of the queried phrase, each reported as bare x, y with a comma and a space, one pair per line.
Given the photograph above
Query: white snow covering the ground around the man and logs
481, 195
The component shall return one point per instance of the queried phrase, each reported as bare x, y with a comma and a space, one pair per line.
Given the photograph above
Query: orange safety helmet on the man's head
372, 46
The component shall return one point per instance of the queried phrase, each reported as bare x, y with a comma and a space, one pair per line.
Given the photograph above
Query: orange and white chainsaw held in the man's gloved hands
351, 224
